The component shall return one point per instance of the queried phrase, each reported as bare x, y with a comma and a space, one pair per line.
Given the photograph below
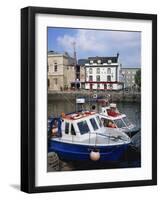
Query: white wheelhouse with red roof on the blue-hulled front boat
81, 125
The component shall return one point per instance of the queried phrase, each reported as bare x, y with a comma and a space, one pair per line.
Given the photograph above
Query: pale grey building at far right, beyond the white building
128, 77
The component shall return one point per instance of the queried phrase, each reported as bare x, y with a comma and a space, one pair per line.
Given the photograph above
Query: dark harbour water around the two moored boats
131, 158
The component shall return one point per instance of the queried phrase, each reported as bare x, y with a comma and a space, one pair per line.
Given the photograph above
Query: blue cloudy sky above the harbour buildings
97, 43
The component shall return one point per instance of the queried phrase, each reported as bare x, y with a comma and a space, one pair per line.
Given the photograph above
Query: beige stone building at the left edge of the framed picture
61, 71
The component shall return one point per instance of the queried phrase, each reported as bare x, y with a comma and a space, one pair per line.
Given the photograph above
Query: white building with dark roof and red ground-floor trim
102, 73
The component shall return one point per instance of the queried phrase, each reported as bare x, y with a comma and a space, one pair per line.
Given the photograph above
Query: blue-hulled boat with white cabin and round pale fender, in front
81, 136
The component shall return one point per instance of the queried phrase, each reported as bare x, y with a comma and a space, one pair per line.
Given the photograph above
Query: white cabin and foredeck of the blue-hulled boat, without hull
87, 128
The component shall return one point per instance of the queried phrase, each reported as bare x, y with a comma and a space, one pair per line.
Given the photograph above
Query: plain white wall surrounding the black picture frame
10, 100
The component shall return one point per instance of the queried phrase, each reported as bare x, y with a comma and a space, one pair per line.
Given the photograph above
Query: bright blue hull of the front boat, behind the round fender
71, 152
